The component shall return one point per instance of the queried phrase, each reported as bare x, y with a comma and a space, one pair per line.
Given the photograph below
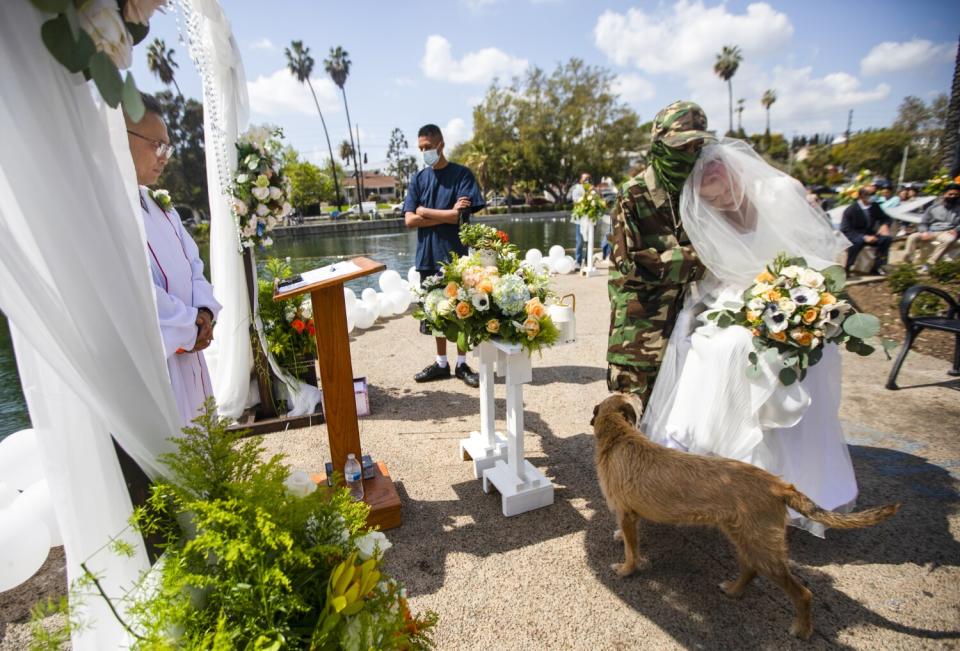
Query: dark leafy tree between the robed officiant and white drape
185, 175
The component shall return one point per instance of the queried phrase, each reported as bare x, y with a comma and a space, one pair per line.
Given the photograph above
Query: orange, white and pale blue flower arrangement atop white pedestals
472, 301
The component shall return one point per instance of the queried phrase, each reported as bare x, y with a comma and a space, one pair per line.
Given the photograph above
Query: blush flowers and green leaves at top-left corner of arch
96, 38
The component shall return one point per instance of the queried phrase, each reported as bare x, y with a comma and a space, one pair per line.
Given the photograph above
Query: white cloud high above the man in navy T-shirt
478, 67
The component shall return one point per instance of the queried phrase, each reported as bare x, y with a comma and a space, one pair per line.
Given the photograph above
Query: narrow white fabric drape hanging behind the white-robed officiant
225, 114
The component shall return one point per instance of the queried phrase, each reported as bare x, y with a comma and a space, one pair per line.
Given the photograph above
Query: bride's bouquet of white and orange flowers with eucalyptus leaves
792, 311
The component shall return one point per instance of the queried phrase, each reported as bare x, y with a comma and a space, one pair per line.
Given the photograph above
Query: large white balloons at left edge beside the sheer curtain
28, 526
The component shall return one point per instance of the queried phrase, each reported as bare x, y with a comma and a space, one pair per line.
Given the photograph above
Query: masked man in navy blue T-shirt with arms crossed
441, 196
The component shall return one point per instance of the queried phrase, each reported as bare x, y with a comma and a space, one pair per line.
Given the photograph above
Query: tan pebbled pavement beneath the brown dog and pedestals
542, 580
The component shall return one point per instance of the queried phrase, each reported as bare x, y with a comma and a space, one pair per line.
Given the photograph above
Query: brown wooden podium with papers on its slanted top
336, 378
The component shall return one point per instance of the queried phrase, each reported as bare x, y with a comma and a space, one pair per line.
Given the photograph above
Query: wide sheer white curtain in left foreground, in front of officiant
75, 286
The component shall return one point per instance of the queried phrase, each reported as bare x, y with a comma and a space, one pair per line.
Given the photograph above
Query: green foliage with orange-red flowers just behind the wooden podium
288, 324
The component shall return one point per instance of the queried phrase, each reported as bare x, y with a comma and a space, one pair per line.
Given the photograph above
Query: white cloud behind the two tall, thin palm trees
282, 94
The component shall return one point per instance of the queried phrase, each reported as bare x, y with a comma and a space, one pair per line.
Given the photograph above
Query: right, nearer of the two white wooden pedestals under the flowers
521, 486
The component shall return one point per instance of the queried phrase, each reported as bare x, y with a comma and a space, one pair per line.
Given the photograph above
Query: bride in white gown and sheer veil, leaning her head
739, 213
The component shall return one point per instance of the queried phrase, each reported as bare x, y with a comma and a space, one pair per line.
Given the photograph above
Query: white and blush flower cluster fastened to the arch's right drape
260, 189
